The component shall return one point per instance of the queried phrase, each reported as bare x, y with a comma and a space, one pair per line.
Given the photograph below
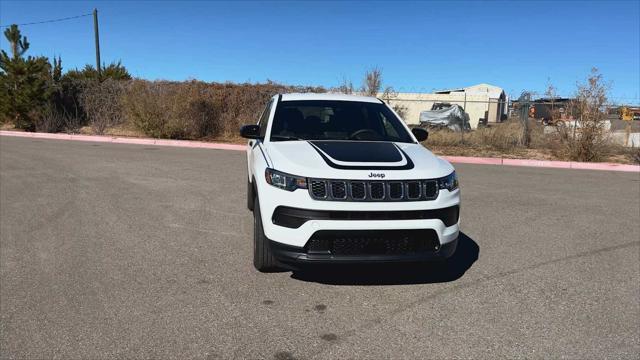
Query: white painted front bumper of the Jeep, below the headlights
346, 216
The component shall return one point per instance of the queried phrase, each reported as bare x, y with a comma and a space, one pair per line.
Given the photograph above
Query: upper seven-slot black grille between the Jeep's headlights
362, 190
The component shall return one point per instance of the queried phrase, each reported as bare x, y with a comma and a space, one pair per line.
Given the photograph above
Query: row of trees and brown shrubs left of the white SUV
37, 95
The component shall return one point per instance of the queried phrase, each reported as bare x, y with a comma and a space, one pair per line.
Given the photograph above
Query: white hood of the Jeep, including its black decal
356, 160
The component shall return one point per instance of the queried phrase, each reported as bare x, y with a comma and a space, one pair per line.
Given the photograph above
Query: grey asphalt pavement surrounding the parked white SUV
123, 251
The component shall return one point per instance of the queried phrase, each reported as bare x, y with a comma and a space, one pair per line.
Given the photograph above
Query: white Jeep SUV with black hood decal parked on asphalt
339, 179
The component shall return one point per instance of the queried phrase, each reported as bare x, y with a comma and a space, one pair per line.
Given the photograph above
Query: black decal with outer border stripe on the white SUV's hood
361, 152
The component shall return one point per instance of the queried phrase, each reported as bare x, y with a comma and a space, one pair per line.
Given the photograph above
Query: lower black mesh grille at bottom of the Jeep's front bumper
372, 242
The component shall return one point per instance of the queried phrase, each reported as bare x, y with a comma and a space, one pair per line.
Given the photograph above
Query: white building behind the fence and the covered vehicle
482, 102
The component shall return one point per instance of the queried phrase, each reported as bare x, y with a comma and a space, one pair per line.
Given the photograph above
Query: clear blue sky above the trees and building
420, 46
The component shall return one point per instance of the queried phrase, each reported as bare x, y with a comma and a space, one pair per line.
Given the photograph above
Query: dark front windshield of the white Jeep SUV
336, 120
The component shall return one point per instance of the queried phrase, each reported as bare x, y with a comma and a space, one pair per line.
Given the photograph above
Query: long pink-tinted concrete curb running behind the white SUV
236, 147
